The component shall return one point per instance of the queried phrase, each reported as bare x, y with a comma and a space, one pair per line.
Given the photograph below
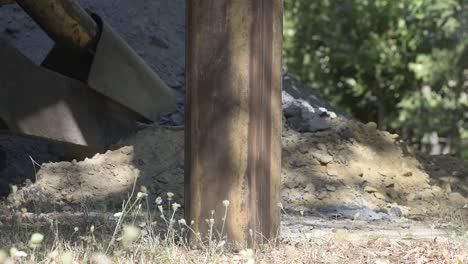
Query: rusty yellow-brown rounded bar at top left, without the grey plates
64, 21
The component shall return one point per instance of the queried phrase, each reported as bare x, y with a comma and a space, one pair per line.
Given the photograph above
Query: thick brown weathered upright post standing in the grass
233, 127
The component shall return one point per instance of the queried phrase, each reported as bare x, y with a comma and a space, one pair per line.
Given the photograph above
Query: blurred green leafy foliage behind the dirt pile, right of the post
403, 63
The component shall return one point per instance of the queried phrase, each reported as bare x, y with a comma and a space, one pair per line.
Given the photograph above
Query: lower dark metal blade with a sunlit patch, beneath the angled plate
39, 102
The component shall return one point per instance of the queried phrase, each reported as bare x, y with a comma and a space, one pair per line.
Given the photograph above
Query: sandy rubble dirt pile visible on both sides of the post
348, 170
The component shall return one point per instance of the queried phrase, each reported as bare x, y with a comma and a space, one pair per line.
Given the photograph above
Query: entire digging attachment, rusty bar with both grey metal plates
91, 88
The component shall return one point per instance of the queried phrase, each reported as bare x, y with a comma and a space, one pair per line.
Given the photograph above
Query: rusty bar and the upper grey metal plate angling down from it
111, 66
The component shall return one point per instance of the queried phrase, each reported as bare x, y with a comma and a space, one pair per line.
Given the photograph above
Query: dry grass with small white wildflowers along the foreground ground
134, 236
